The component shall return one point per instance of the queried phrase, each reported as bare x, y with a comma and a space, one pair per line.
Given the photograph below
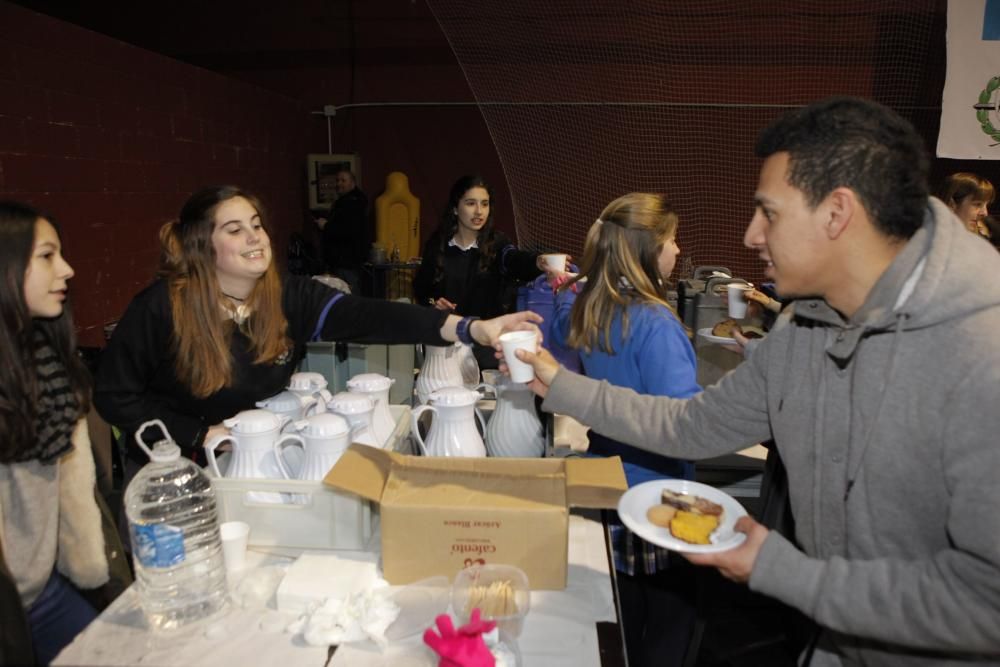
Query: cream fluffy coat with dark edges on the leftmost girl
89, 553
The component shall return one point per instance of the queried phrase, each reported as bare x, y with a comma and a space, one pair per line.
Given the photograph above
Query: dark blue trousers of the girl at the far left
57, 616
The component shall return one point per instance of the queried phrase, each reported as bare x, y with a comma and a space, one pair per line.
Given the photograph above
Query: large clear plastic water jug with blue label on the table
177, 551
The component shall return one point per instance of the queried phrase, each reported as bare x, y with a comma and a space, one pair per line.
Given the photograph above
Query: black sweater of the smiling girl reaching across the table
136, 381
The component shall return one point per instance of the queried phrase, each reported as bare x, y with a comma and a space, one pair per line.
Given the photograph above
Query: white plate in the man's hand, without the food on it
636, 502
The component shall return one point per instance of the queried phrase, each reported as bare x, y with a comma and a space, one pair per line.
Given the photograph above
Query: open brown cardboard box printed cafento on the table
440, 515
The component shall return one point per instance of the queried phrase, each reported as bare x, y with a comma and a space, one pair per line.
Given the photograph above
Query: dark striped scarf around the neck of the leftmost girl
57, 410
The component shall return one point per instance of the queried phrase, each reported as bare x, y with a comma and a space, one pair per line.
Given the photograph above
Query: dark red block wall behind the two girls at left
110, 139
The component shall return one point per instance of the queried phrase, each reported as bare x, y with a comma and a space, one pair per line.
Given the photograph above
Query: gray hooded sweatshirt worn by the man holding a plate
900, 405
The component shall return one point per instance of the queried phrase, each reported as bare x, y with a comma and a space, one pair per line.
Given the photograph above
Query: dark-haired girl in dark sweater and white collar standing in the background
469, 267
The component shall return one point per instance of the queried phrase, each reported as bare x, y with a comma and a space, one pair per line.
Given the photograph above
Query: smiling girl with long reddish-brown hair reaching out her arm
220, 329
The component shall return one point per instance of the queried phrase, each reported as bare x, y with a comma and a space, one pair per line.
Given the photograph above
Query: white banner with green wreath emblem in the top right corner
970, 106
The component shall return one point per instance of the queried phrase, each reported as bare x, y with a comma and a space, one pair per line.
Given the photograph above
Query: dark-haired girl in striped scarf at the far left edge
52, 541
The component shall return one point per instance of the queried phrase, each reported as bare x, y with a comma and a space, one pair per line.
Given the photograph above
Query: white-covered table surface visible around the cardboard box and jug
560, 629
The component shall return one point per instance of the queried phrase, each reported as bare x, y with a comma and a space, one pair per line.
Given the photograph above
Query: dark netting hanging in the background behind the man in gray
588, 100
